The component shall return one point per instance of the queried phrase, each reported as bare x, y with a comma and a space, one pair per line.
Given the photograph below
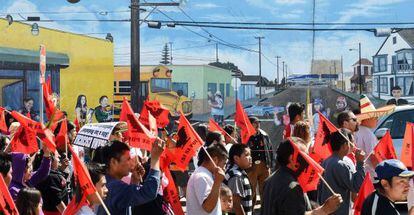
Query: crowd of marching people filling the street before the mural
225, 175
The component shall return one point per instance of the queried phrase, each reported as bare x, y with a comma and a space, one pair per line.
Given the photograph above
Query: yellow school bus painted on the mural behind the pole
155, 84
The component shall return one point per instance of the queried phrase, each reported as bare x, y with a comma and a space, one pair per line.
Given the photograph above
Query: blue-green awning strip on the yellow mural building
28, 56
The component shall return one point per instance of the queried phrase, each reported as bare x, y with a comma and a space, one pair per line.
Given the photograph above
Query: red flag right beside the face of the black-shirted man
309, 178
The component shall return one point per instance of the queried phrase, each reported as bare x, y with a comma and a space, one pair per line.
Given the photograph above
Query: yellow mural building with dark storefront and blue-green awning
77, 64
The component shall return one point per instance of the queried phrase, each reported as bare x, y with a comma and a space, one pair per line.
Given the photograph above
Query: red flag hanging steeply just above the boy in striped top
243, 122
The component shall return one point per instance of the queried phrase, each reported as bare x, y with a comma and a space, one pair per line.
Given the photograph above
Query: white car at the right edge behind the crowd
395, 123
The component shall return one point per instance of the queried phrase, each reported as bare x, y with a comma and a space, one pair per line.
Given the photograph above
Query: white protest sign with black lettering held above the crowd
93, 135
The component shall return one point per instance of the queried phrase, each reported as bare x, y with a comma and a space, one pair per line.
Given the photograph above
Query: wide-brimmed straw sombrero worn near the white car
369, 111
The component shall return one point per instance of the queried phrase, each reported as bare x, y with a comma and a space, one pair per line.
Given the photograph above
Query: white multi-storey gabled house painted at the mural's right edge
393, 65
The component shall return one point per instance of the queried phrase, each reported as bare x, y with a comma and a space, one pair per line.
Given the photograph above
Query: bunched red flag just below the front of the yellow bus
160, 113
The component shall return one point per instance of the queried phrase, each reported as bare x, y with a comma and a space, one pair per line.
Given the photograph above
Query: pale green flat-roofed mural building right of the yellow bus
195, 81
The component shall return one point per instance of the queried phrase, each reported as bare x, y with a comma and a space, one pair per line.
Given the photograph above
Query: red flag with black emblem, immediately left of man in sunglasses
322, 148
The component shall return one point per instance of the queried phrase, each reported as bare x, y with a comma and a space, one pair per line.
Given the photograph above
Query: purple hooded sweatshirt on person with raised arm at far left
19, 168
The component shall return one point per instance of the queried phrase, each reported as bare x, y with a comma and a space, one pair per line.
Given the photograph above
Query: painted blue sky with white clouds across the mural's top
295, 47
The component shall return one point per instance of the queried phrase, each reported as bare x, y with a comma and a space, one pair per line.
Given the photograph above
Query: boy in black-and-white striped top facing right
237, 179
